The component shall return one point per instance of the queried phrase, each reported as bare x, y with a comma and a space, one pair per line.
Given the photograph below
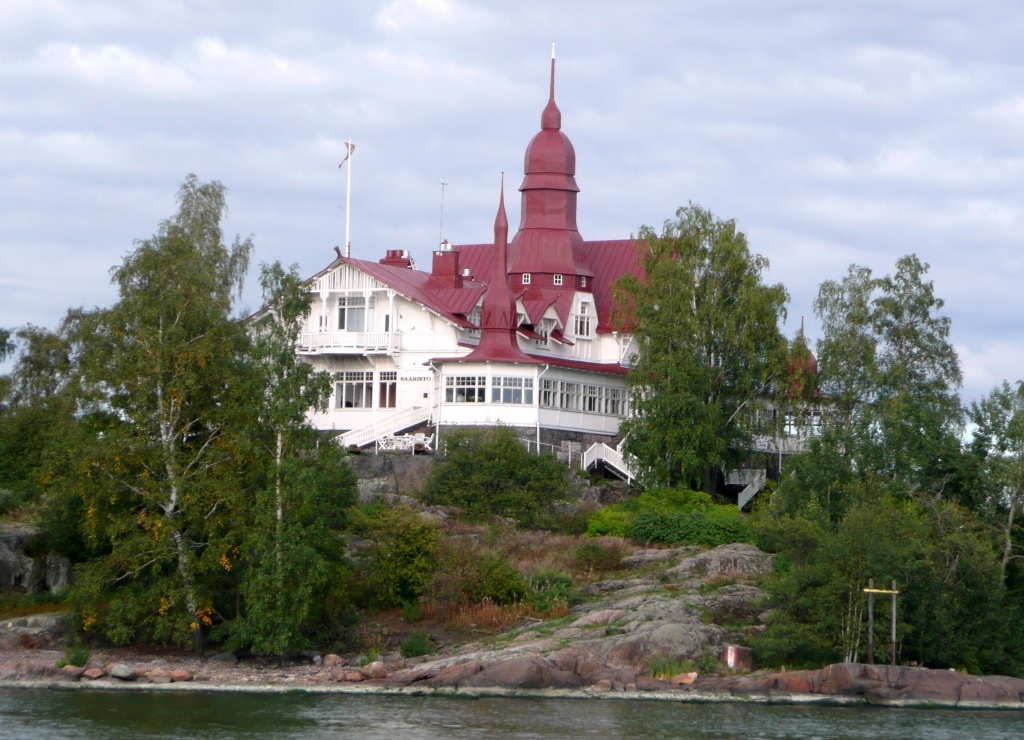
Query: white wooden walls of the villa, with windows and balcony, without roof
380, 347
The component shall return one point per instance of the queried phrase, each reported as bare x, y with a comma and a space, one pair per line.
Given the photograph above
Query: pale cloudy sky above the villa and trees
833, 133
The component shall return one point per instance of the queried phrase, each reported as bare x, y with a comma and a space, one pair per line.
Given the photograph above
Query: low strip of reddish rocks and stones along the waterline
841, 684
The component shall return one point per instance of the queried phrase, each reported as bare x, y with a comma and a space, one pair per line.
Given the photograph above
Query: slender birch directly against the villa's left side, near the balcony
303, 489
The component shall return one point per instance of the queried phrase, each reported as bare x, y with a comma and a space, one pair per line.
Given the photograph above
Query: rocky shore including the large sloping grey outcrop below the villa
680, 610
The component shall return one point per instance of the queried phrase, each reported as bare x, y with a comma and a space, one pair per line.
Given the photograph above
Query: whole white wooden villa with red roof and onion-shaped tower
517, 333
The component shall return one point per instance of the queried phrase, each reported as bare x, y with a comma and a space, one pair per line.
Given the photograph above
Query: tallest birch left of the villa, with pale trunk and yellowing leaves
166, 360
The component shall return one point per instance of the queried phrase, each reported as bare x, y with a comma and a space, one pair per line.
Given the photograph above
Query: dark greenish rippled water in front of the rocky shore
42, 714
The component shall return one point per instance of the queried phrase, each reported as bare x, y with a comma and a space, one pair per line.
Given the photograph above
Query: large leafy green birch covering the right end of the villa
710, 347
